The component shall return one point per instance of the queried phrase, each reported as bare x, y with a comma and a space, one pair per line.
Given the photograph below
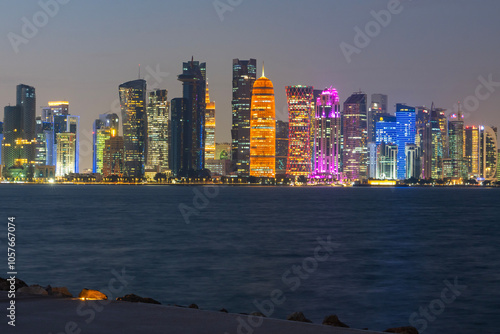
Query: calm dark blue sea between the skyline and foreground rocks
395, 249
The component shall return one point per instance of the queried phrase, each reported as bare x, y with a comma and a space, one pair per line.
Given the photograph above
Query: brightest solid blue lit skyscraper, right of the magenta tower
405, 134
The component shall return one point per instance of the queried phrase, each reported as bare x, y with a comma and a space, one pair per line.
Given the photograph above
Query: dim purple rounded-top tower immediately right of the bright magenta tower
355, 137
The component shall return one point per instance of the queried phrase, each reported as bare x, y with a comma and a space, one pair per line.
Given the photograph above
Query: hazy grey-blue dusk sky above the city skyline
432, 50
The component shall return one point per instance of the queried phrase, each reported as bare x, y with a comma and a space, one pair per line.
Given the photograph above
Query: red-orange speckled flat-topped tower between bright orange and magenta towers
300, 104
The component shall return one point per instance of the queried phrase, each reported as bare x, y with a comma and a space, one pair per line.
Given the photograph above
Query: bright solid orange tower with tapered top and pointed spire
263, 129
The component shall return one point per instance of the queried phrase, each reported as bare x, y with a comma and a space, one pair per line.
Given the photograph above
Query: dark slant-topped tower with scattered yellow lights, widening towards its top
134, 122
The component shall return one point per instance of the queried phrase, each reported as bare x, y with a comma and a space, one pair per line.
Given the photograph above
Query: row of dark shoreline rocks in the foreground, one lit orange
21, 288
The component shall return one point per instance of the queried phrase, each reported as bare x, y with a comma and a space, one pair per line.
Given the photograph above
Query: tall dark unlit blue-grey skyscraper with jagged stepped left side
193, 80
